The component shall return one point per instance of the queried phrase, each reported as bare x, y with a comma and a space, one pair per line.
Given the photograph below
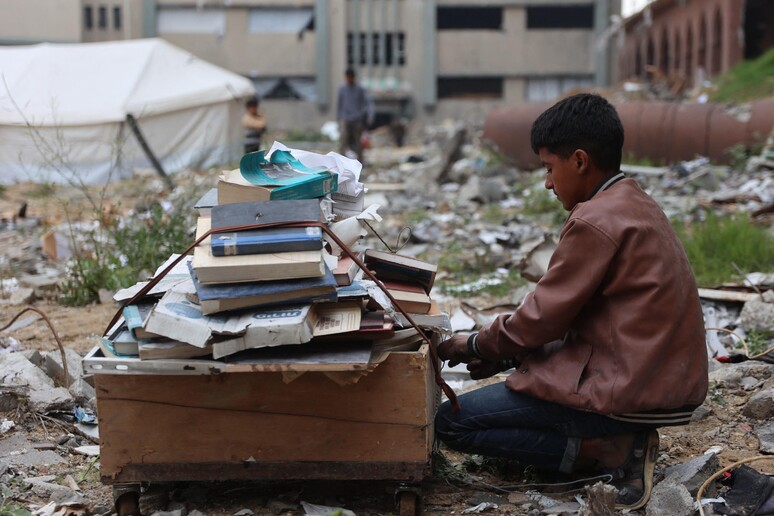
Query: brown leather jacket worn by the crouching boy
621, 300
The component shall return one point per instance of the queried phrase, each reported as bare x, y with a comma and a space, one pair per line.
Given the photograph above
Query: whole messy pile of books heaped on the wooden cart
245, 290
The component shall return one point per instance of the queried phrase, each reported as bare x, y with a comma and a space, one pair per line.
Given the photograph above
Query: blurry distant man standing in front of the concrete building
355, 109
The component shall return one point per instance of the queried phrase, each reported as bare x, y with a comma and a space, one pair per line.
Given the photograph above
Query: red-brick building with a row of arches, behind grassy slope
694, 39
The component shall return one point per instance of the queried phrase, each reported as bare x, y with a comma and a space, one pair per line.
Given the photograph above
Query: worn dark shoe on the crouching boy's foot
634, 479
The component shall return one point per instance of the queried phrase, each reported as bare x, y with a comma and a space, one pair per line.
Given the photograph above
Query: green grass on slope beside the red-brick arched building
746, 81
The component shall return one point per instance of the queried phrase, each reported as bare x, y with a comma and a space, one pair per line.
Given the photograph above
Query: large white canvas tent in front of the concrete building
63, 110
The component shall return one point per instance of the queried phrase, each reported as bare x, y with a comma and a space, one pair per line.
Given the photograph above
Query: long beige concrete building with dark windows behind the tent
426, 59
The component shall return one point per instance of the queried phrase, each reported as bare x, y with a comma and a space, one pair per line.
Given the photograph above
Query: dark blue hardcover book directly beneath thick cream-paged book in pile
222, 297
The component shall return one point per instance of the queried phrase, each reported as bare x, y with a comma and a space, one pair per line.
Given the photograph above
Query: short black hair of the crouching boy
584, 121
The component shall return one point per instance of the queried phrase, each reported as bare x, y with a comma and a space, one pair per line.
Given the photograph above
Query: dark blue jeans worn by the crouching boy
498, 422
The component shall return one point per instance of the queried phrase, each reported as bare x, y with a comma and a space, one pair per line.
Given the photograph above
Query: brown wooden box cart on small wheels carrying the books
177, 420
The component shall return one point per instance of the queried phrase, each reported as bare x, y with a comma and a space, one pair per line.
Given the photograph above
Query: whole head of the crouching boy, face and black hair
579, 142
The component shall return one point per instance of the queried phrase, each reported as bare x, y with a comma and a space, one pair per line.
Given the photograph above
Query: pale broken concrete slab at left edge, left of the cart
43, 396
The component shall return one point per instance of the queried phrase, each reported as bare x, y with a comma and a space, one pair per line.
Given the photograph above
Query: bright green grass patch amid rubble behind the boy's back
715, 245
